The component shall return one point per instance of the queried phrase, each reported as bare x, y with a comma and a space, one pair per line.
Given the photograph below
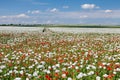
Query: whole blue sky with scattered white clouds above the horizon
60, 11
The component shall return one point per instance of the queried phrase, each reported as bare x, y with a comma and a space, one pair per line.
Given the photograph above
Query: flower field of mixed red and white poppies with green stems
59, 56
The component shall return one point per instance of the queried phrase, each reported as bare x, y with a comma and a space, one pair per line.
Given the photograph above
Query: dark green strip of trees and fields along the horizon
62, 25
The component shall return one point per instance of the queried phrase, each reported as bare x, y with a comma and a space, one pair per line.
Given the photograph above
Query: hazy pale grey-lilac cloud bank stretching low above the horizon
55, 16
